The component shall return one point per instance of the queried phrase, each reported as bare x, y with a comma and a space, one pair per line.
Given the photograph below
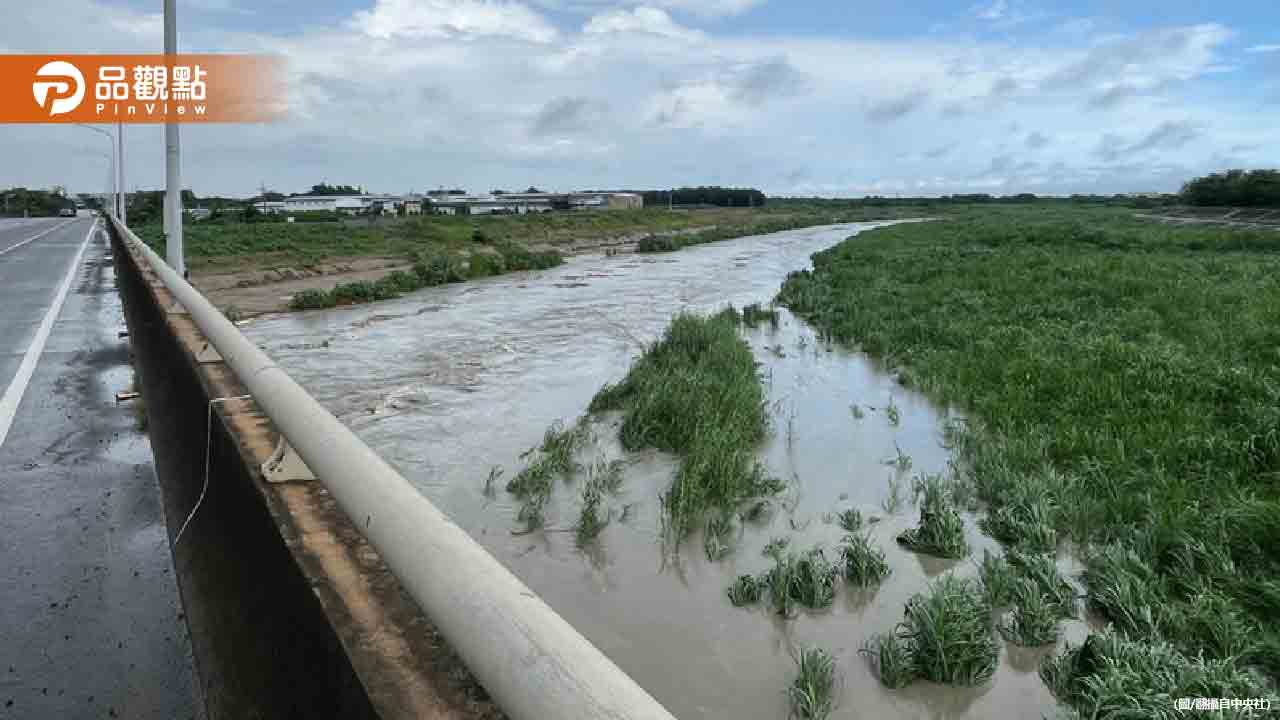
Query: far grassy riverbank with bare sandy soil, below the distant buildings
257, 268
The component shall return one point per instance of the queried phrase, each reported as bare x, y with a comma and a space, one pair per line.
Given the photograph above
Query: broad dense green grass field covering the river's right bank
1123, 388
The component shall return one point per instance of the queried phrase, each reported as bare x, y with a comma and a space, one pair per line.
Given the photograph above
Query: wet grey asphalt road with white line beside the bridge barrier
92, 623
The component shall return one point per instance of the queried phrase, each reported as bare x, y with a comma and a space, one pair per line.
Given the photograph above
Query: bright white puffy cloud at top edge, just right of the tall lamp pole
449, 19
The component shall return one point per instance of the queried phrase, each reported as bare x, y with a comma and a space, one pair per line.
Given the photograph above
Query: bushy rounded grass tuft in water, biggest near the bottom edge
947, 637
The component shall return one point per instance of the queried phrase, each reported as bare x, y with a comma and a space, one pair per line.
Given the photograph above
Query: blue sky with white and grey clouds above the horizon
834, 98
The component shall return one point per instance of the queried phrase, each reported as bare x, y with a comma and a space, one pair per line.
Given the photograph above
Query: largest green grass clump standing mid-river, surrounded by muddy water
696, 393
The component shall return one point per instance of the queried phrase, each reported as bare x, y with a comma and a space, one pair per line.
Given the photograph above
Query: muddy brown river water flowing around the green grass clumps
450, 384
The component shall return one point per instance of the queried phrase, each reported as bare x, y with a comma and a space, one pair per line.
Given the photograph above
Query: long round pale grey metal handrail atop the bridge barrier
533, 663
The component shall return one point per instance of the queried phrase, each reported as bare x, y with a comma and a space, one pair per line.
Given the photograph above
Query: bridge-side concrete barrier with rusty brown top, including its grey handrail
295, 609
